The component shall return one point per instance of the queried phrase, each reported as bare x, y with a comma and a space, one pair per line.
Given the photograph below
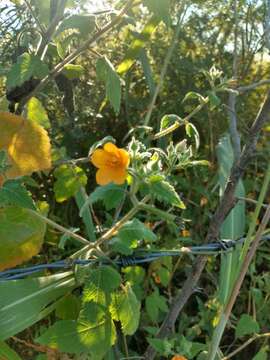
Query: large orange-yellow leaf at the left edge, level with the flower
27, 145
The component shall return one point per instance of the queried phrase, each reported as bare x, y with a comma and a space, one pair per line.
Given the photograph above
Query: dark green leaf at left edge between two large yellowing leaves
13, 192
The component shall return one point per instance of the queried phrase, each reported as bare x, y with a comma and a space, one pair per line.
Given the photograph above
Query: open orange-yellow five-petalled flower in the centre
112, 164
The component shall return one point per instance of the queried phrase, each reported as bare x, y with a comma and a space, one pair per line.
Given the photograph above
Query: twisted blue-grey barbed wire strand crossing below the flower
139, 257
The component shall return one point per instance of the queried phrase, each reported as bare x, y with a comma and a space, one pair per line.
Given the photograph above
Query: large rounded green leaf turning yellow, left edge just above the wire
21, 236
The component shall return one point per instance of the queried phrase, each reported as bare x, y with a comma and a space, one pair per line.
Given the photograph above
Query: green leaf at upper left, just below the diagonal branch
27, 66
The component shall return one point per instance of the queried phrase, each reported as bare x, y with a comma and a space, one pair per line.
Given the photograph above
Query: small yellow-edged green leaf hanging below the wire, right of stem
126, 308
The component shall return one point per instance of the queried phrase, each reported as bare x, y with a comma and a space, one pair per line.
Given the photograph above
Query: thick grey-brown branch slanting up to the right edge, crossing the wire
227, 203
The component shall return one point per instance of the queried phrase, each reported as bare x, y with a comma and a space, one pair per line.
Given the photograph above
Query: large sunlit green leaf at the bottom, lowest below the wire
94, 333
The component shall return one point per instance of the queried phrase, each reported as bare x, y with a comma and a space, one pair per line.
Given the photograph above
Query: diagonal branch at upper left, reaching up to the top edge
59, 67
